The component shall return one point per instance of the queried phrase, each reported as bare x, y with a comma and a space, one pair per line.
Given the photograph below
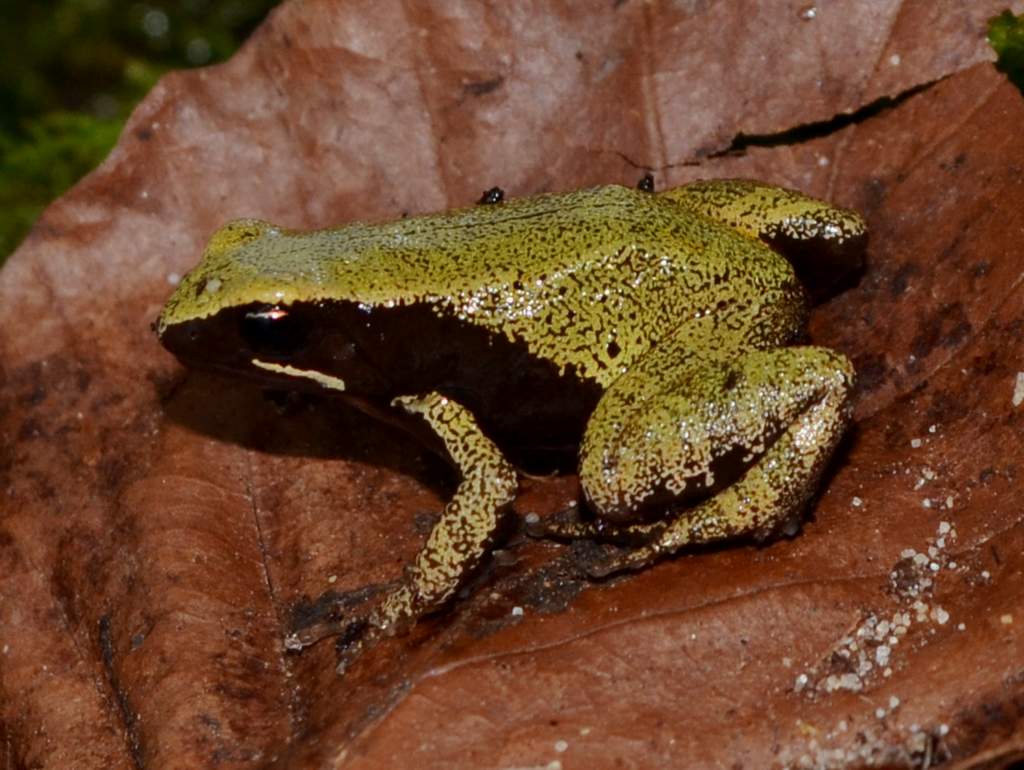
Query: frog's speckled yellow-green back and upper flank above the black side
587, 280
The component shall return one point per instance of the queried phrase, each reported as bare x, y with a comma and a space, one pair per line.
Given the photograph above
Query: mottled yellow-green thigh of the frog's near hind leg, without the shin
702, 396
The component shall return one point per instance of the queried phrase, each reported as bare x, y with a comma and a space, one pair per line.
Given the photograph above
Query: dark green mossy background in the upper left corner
71, 72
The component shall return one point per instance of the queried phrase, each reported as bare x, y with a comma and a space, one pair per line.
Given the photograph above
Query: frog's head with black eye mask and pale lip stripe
254, 306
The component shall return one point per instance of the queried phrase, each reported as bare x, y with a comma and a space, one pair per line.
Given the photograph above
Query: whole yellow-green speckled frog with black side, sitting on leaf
657, 339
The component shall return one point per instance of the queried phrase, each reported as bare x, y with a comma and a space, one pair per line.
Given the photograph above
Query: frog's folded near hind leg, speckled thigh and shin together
785, 411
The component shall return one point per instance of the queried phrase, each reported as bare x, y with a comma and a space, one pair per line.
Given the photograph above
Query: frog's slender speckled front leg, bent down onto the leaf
461, 537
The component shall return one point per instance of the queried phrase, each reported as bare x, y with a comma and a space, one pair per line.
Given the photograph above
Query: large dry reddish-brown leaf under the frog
160, 529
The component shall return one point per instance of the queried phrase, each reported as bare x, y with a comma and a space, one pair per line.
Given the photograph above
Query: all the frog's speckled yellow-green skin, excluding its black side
711, 423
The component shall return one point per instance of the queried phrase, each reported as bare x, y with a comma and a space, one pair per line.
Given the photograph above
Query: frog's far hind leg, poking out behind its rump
826, 244
